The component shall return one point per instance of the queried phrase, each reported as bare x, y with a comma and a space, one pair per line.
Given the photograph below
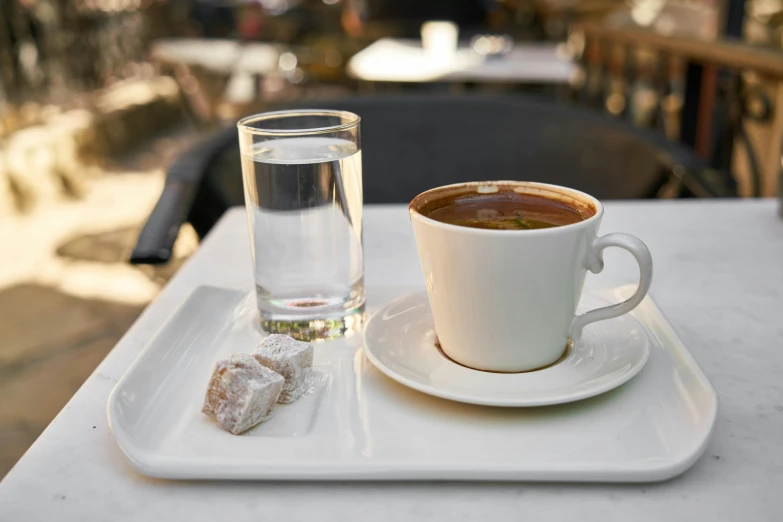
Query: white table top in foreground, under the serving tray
718, 278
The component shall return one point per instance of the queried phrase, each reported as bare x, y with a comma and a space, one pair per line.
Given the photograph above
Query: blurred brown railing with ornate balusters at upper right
713, 89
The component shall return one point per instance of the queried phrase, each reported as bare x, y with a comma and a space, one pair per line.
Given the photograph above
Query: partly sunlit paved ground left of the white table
66, 293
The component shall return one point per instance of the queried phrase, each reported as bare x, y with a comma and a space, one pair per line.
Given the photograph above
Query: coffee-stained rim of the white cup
564, 192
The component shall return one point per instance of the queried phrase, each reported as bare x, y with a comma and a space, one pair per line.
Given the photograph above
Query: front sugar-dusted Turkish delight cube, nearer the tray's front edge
241, 393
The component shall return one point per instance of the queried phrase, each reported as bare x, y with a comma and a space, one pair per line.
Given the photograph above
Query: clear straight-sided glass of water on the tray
302, 173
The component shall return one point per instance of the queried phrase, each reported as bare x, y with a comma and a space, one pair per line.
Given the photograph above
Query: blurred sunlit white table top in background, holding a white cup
400, 60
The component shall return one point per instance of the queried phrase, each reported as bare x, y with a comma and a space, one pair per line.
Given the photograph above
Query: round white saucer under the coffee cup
400, 341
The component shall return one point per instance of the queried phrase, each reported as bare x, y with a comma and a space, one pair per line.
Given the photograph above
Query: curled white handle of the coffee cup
595, 263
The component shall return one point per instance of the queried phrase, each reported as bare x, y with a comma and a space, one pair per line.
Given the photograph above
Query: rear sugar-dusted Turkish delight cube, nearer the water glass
290, 358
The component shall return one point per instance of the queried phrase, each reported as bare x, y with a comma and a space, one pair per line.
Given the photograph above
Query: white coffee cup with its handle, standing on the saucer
505, 300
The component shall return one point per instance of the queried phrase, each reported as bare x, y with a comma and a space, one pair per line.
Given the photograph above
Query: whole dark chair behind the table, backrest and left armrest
411, 144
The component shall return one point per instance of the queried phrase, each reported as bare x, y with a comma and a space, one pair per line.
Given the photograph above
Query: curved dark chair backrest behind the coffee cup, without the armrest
413, 144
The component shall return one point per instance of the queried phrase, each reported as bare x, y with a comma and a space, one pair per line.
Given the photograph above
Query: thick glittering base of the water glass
316, 329
